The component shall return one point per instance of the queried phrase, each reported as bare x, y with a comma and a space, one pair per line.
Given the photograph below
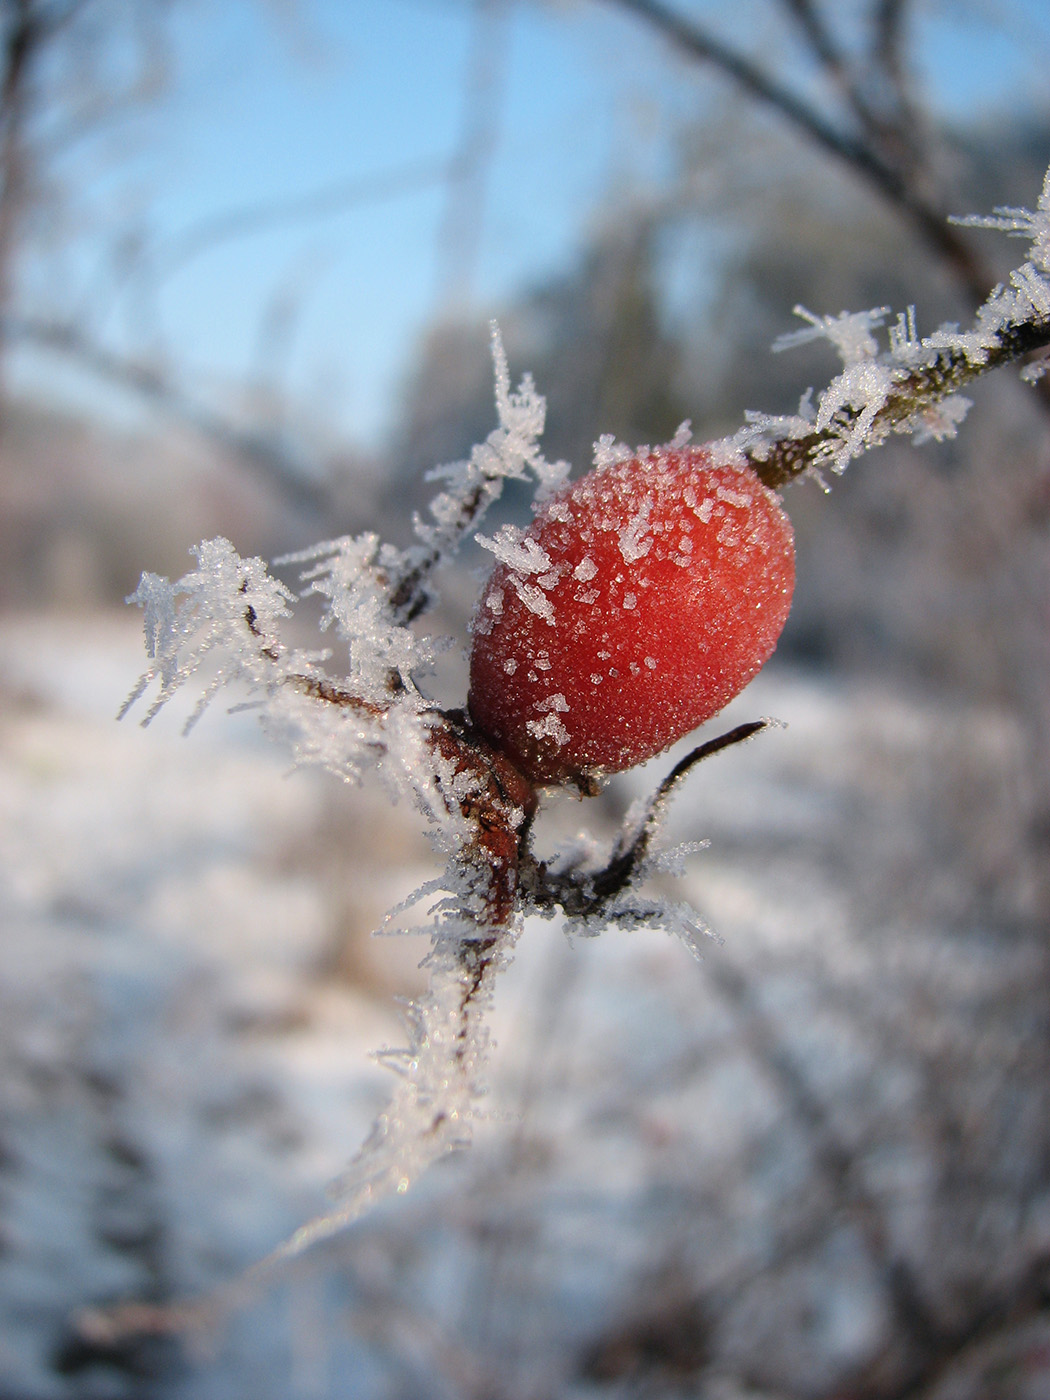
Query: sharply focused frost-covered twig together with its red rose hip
478, 780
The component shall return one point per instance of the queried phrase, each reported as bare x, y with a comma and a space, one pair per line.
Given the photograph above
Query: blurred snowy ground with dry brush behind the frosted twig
814, 1164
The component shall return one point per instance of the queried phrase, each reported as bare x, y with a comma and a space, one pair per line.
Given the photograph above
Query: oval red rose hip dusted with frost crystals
640, 601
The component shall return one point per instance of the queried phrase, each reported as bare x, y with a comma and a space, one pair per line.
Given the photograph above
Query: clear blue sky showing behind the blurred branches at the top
271, 103
